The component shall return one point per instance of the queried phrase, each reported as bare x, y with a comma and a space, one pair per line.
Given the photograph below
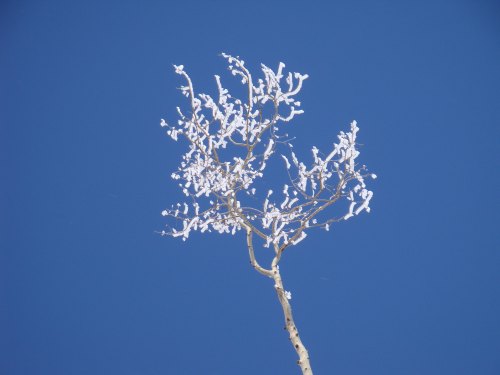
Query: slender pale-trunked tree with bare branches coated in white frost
230, 143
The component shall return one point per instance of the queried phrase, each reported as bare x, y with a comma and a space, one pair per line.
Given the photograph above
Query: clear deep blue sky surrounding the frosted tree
87, 287
